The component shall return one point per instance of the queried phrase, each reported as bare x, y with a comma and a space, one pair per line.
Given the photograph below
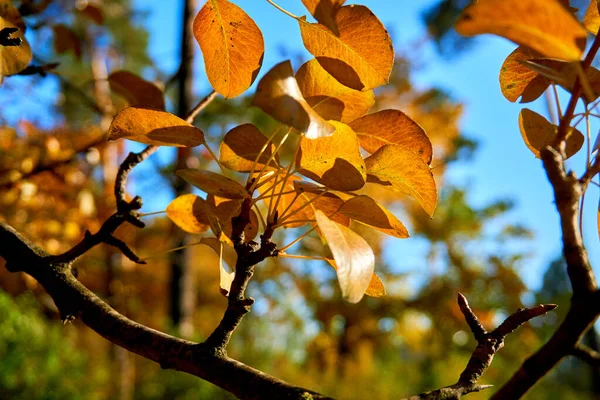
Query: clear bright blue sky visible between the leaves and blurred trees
503, 167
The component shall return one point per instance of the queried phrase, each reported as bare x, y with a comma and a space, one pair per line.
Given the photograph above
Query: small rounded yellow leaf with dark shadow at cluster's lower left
189, 213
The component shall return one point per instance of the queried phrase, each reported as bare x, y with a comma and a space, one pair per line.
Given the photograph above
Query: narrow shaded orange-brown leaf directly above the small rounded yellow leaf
213, 183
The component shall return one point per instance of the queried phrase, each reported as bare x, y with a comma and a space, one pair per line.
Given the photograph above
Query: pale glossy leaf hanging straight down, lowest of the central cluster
353, 257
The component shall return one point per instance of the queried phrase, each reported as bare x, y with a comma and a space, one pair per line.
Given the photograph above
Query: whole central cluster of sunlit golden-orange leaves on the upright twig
338, 148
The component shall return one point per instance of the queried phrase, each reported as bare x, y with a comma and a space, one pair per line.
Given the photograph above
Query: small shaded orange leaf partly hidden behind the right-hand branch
538, 133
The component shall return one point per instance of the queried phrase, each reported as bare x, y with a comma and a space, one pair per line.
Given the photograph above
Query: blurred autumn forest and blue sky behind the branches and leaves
495, 235
